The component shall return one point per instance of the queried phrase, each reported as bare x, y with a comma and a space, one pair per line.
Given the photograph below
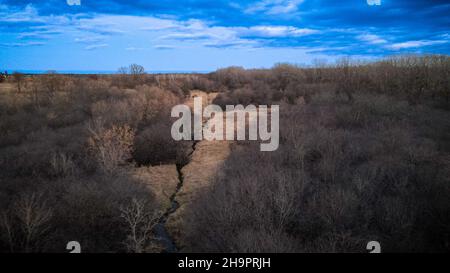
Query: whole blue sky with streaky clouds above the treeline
203, 35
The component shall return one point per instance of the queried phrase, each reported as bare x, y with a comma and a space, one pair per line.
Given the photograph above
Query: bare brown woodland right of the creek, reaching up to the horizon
357, 162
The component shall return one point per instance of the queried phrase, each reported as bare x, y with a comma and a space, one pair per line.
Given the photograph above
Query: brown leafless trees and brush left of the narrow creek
71, 141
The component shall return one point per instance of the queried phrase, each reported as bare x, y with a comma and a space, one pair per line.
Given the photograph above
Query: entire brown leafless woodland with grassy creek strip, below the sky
364, 155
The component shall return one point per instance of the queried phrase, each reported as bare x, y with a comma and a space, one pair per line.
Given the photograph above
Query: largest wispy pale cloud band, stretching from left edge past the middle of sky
98, 29
